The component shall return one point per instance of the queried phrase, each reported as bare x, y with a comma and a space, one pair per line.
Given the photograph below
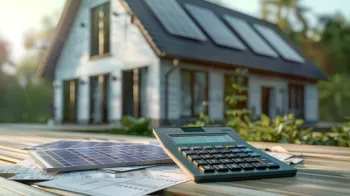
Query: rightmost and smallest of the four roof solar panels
279, 44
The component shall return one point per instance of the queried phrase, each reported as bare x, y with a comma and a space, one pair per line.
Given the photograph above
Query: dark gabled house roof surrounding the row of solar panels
166, 45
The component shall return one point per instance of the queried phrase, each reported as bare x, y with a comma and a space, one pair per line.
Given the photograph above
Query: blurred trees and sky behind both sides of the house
320, 27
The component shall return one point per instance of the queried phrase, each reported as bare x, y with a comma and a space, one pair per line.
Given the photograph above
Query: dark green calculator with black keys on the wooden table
212, 154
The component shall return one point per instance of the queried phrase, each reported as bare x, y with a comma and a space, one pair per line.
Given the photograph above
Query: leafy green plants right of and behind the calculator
282, 129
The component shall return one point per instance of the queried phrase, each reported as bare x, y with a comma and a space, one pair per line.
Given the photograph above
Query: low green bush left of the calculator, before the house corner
133, 126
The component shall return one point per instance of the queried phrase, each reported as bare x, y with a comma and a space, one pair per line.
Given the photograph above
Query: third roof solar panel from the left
247, 33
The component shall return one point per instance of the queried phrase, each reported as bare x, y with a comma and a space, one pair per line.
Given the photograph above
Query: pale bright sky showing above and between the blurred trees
19, 16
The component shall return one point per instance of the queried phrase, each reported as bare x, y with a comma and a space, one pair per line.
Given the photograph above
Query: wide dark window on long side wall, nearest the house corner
194, 93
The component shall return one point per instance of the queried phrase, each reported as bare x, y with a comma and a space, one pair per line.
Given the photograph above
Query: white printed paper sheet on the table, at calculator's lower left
155, 179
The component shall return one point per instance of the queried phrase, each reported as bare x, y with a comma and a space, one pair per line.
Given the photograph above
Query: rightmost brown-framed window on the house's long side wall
296, 99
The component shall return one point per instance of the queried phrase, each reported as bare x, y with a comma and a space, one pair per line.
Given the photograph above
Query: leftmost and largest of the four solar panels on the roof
175, 20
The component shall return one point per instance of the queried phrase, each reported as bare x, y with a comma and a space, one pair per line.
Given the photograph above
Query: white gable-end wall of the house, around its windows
129, 49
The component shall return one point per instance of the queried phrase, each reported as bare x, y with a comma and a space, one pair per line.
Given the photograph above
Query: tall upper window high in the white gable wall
100, 19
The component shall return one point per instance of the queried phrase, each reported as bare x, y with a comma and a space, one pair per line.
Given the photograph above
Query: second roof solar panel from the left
214, 27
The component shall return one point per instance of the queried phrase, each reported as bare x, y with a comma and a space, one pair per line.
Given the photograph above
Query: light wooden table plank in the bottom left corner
16, 188
